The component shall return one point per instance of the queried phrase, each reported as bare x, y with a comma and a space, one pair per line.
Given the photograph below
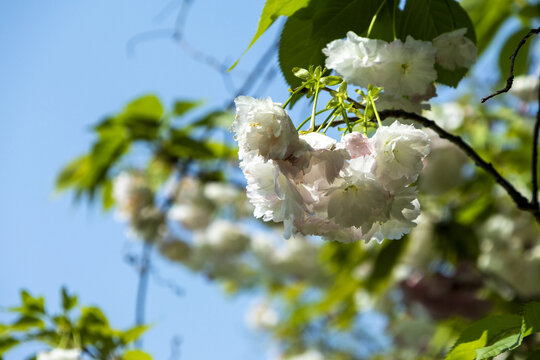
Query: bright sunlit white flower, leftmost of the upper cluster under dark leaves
356, 59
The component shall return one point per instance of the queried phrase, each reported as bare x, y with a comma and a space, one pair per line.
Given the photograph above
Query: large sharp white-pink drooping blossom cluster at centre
359, 188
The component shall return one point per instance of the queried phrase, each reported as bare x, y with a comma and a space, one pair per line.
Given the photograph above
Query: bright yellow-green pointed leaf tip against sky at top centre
272, 10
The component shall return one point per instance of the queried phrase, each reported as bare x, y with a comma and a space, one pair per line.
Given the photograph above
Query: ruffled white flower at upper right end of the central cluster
399, 151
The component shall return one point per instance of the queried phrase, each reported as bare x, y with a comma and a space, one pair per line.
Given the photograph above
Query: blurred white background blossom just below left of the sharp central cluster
224, 237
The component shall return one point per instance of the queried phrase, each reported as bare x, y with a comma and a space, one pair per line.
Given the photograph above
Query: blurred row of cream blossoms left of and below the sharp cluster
202, 230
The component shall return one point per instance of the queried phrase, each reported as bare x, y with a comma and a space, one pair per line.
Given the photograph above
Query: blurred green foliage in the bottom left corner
85, 327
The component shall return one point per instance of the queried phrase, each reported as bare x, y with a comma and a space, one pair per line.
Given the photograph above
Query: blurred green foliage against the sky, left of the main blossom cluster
143, 122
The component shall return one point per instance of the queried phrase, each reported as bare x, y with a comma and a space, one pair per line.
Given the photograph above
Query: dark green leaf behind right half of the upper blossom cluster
427, 19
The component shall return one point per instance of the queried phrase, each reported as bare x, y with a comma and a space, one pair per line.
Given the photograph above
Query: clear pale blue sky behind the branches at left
63, 66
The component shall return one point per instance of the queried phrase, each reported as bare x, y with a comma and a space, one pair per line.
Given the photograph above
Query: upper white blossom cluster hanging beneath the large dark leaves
406, 70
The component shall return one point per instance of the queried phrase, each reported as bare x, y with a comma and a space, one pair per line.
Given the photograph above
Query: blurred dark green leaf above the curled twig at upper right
521, 63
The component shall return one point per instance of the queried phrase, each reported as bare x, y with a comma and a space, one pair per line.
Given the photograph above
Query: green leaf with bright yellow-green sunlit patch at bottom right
488, 337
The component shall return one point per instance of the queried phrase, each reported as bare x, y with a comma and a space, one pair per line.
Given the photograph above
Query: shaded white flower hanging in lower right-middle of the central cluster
360, 199
